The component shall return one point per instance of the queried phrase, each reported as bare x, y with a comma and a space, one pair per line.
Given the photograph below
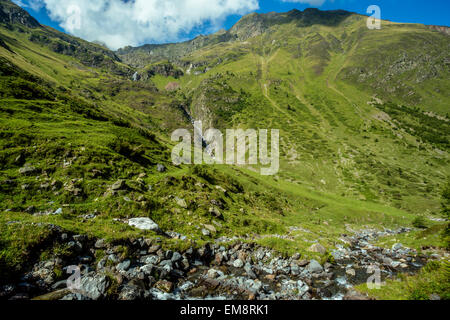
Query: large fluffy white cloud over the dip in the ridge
119, 23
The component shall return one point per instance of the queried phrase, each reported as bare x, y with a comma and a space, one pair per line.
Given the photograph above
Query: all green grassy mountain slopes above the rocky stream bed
85, 134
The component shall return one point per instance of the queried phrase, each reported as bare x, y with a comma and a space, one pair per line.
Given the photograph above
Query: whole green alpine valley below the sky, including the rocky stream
363, 191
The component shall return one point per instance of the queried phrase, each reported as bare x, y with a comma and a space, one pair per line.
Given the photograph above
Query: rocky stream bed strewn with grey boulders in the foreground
242, 270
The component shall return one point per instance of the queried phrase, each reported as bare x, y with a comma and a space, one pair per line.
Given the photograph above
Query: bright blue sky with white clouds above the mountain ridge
116, 29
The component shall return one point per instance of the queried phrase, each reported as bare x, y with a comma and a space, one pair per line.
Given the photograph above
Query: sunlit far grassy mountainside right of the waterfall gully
354, 105
